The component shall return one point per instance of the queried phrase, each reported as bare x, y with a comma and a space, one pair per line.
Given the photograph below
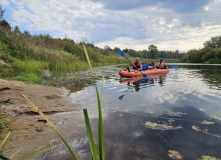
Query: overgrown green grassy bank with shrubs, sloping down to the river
29, 56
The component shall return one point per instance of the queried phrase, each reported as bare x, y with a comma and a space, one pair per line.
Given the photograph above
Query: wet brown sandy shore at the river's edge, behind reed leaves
28, 128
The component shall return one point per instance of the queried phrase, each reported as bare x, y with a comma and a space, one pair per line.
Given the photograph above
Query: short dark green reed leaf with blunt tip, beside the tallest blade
90, 136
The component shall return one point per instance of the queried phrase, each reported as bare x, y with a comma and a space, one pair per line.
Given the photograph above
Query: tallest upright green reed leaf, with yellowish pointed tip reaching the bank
100, 122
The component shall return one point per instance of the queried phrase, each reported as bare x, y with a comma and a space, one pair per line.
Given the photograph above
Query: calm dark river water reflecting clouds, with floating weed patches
162, 116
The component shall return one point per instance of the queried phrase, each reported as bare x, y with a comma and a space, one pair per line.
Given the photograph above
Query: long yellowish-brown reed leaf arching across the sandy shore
42, 114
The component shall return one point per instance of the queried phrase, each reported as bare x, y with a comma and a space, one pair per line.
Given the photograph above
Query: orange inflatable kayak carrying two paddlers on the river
138, 73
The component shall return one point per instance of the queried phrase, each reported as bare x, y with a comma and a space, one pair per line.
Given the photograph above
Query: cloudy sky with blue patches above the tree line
133, 24
